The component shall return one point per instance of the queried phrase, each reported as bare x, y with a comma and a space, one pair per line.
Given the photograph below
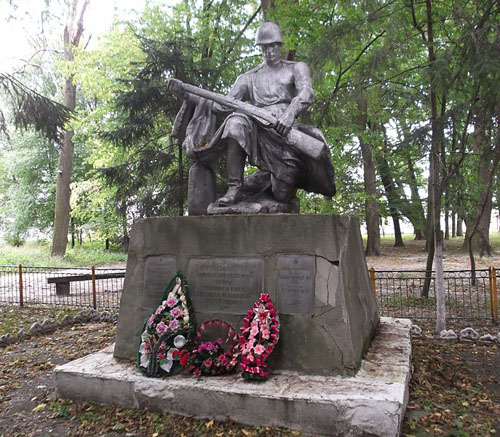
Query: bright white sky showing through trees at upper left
15, 33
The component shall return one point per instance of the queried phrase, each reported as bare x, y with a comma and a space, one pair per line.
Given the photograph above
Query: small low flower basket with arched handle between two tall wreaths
211, 358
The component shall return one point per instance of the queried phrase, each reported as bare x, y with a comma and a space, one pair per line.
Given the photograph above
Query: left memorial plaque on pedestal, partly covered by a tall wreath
158, 272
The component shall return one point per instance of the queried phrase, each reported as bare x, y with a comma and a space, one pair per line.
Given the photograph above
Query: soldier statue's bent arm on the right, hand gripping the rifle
303, 99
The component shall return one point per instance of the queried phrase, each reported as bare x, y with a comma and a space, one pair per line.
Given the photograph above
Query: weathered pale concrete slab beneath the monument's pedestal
371, 403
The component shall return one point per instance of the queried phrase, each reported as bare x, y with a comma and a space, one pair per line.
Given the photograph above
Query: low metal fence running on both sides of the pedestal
398, 293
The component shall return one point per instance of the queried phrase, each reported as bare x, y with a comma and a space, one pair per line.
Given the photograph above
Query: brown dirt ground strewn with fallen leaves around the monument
455, 388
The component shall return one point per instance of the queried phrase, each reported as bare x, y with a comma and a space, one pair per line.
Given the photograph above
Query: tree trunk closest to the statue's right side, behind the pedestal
372, 214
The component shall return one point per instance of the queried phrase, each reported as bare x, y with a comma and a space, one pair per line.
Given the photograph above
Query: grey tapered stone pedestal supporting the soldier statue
313, 267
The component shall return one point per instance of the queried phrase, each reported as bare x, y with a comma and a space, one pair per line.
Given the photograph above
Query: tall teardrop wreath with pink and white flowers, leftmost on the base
167, 330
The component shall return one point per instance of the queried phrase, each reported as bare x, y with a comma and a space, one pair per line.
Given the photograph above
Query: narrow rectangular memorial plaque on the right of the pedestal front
295, 275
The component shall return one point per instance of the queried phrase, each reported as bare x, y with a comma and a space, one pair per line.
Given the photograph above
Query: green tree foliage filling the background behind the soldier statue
361, 54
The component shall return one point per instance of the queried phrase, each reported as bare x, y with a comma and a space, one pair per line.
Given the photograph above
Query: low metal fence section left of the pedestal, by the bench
56, 286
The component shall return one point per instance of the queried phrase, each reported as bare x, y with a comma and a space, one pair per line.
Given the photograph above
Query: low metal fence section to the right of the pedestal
400, 294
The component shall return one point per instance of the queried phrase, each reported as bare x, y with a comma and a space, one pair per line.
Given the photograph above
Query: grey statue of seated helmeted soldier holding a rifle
283, 89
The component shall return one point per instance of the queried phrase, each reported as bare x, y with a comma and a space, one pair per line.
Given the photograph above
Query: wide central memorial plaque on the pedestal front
225, 285
